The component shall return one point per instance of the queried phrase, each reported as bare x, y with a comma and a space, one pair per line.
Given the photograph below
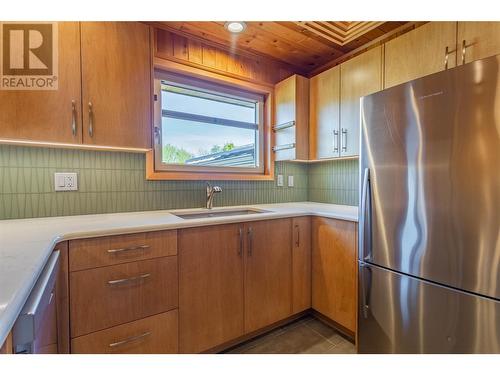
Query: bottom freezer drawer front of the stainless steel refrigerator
402, 314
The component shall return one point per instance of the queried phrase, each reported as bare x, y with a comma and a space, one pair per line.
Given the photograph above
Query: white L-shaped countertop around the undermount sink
26, 244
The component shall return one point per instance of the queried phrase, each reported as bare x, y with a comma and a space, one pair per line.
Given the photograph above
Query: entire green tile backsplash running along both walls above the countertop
115, 182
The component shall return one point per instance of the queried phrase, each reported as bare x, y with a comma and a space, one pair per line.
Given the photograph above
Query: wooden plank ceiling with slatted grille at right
304, 45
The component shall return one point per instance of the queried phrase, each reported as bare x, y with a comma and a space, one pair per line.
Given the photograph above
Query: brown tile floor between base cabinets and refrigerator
307, 335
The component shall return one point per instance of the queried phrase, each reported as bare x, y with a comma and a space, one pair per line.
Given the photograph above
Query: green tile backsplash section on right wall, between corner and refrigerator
334, 181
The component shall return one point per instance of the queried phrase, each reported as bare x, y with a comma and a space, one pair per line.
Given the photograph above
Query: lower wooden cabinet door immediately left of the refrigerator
334, 270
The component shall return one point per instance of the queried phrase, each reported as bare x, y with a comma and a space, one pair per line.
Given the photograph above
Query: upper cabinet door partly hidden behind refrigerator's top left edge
359, 77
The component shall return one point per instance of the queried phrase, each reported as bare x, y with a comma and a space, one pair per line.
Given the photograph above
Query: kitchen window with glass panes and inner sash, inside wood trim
205, 127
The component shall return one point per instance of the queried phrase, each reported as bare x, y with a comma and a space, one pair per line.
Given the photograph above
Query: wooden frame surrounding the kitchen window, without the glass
156, 169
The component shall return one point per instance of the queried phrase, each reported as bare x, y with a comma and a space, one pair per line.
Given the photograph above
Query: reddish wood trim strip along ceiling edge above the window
222, 44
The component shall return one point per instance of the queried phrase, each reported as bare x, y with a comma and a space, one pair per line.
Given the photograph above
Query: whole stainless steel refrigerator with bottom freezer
429, 228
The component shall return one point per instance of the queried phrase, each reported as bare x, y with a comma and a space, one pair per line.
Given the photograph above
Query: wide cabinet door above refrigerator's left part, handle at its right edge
420, 52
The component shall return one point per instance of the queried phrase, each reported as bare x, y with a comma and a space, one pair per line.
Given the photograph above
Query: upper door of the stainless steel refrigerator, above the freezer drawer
431, 150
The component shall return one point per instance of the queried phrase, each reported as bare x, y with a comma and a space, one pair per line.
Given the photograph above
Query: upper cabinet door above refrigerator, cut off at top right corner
482, 39
